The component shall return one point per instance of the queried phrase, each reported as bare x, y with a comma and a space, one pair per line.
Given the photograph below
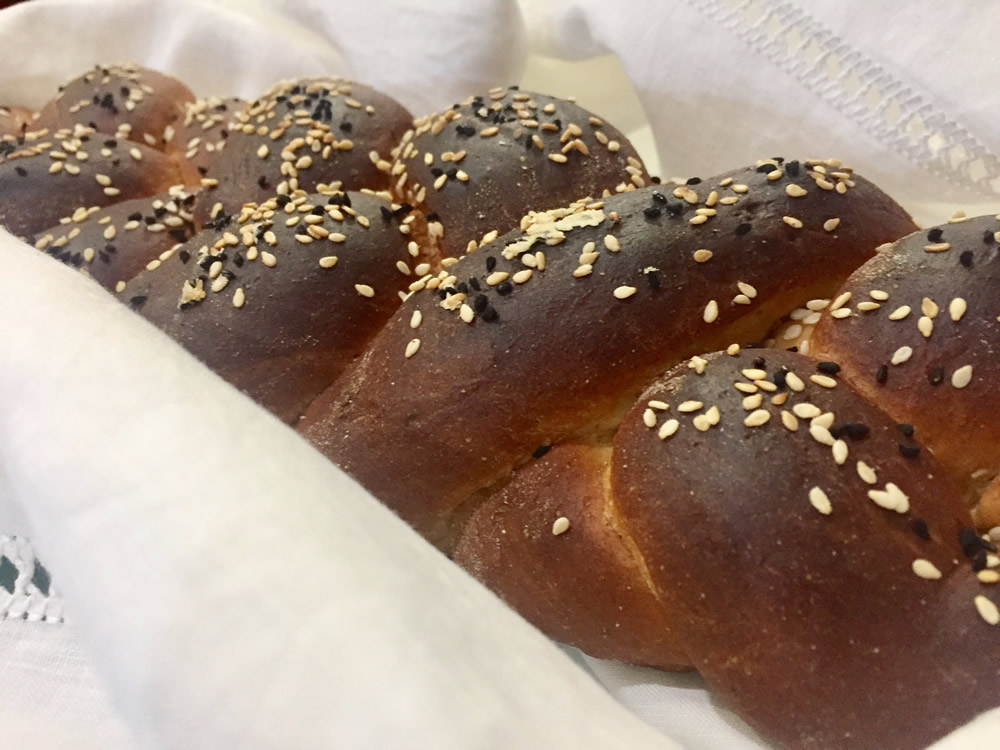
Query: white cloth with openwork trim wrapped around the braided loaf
184, 605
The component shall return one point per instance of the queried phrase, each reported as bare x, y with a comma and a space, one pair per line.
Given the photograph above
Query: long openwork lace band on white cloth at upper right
894, 112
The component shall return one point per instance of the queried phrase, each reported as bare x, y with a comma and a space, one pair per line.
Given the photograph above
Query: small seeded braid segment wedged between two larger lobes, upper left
197, 138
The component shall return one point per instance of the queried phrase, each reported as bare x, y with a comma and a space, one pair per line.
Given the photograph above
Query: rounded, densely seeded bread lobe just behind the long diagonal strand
505, 153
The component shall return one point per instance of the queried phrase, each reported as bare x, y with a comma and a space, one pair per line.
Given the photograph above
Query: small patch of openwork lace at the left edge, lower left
26, 590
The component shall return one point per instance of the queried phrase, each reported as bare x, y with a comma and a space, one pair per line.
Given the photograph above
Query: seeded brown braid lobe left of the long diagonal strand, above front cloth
280, 298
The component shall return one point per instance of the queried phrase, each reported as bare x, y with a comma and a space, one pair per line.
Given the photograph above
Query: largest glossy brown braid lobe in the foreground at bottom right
821, 630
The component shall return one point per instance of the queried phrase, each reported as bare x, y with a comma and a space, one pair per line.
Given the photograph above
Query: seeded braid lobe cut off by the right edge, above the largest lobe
917, 336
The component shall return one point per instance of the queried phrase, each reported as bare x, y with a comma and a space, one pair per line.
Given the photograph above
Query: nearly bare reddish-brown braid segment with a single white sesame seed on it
580, 584
